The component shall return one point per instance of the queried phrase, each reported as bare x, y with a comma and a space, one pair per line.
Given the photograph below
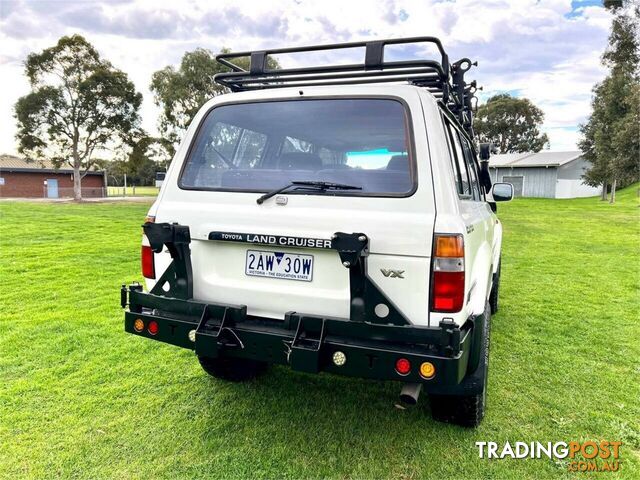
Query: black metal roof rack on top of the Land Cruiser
443, 79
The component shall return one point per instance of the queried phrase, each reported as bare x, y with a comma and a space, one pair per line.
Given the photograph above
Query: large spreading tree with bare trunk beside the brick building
79, 105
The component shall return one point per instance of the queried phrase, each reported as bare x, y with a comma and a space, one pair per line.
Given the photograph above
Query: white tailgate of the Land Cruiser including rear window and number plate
263, 256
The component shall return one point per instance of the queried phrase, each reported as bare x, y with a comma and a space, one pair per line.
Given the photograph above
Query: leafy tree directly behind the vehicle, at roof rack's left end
180, 93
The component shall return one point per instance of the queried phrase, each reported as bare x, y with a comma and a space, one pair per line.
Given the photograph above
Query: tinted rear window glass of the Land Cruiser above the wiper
258, 147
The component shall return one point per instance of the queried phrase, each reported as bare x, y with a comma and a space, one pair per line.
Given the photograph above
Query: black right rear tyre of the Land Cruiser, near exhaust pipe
467, 410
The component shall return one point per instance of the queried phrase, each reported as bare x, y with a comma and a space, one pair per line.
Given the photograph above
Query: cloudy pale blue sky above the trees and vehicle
545, 50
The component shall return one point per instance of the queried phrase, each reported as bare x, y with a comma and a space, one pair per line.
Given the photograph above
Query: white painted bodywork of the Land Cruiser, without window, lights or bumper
400, 229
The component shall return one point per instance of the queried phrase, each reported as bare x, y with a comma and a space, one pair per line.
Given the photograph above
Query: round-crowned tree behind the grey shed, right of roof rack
511, 124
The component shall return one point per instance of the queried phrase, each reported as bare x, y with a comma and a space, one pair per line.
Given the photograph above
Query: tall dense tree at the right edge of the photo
611, 136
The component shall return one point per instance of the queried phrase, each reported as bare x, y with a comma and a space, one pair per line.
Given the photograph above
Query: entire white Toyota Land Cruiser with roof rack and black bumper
333, 219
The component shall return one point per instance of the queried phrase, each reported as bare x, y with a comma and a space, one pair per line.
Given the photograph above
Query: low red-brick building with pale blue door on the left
39, 179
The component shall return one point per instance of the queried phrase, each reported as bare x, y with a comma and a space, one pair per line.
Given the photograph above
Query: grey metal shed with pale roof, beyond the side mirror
543, 174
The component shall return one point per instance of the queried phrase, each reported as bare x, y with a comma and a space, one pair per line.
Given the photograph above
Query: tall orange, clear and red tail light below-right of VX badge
447, 286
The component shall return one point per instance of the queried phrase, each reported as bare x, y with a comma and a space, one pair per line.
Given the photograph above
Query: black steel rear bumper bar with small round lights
304, 342
